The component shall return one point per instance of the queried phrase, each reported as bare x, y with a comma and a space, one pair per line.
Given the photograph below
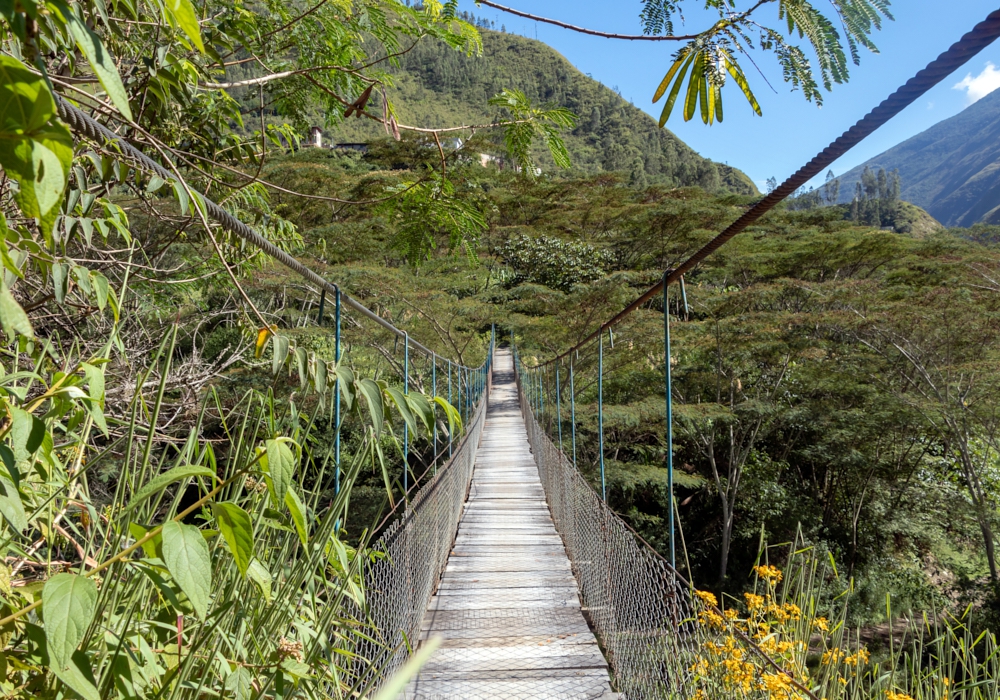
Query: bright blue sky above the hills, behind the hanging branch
792, 130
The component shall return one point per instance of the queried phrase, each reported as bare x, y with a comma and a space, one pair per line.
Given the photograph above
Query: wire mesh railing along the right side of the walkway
640, 608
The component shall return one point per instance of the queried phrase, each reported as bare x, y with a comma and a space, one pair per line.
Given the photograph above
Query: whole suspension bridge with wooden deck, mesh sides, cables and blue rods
507, 552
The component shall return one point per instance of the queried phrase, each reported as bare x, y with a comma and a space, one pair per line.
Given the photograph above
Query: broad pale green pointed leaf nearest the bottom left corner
68, 605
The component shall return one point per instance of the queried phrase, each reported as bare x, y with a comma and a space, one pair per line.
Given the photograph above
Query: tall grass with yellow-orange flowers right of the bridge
787, 637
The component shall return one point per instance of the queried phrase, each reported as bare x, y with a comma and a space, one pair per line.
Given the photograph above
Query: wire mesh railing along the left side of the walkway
410, 557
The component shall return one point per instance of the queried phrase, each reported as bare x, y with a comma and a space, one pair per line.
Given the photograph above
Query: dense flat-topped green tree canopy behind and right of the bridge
822, 373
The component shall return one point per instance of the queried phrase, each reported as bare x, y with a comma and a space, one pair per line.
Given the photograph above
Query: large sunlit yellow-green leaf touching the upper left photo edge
35, 149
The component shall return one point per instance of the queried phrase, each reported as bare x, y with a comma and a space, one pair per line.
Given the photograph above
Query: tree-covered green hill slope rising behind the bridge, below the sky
438, 87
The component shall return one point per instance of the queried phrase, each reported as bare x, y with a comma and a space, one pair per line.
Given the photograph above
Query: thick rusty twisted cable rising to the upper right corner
981, 36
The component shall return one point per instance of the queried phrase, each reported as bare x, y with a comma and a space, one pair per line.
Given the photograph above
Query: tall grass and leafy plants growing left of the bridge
217, 565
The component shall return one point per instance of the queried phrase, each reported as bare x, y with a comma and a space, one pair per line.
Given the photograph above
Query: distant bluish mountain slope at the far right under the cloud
950, 169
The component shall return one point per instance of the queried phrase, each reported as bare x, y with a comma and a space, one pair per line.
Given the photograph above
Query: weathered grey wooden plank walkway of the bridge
508, 606
